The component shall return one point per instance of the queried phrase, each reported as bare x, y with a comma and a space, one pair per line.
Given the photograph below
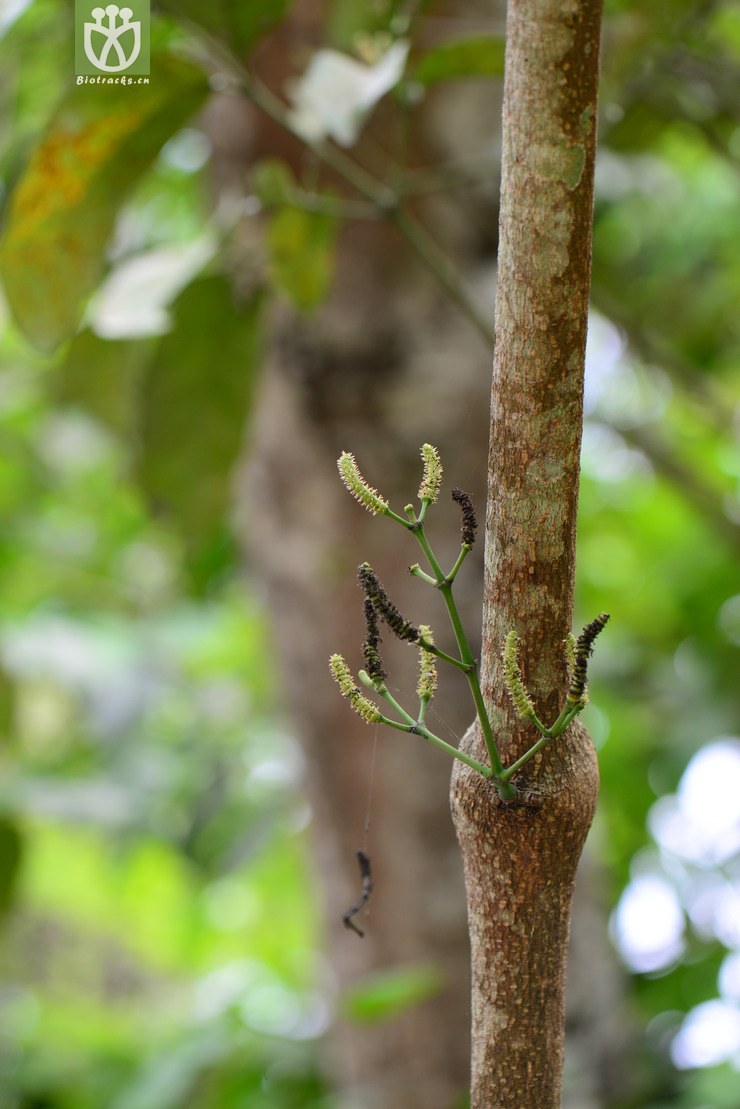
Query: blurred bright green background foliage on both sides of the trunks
161, 942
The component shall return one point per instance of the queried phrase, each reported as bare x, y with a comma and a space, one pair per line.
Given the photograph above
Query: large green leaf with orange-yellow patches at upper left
64, 210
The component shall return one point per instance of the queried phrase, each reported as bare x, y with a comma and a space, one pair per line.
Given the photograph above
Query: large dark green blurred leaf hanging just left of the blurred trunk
195, 405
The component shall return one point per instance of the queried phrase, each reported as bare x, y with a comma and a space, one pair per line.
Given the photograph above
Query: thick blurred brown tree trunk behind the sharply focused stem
388, 365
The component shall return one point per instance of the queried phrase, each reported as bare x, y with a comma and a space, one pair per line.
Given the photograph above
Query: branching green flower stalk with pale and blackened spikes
379, 608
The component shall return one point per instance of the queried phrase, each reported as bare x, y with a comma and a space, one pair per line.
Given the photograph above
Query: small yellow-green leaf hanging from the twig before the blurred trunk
301, 247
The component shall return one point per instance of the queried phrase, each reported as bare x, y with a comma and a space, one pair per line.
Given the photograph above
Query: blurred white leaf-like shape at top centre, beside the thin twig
337, 94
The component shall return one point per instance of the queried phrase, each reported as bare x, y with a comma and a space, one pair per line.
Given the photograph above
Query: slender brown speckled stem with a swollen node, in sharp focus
521, 860
